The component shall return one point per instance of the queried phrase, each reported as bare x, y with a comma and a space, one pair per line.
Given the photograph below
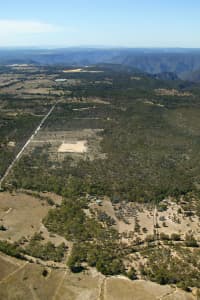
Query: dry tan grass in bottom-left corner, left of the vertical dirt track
27, 282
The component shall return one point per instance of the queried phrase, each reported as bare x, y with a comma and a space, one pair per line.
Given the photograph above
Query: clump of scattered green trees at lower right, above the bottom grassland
182, 269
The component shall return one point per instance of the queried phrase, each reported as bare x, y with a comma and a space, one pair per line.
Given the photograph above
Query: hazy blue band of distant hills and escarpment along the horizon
183, 62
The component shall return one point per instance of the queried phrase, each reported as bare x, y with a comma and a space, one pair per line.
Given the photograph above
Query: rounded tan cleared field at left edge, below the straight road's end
21, 214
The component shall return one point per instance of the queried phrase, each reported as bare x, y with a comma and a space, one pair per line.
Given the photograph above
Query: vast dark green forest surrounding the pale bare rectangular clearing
151, 142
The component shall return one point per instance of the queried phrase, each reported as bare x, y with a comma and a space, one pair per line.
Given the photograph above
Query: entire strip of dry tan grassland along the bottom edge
27, 281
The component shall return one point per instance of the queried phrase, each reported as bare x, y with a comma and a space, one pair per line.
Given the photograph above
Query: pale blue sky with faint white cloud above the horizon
100, 23
